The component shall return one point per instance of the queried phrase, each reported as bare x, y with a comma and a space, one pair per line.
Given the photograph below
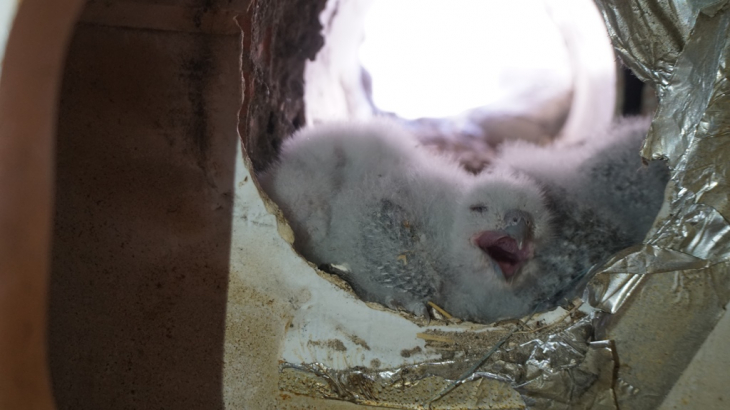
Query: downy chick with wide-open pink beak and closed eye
499, 224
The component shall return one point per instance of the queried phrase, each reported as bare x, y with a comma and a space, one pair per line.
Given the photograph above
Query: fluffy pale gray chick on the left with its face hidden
356, 197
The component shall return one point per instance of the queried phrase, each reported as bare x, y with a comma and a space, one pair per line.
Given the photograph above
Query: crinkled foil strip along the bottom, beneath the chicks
556, 369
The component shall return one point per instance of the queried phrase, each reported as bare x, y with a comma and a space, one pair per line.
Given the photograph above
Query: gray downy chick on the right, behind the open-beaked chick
602, 199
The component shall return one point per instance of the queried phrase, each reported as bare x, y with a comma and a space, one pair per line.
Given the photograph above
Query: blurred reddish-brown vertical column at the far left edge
28, 105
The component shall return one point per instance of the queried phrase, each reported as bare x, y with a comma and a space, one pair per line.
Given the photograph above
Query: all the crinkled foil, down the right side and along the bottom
682, 48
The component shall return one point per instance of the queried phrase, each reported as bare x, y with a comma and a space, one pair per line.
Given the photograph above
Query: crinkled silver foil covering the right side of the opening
683, 49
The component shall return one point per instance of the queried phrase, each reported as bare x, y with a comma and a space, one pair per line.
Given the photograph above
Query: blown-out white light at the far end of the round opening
435, 58
